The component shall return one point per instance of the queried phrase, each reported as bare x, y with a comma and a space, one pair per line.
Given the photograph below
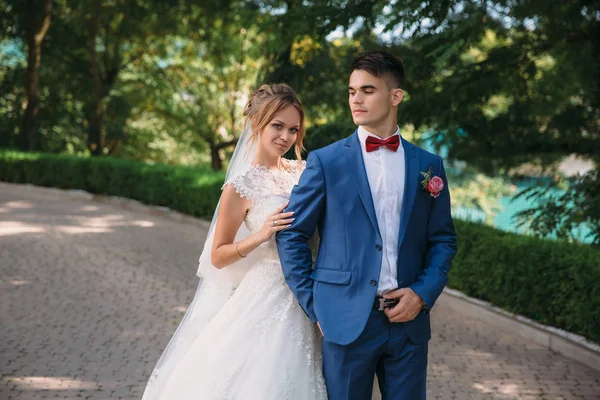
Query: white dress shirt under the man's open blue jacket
385, 171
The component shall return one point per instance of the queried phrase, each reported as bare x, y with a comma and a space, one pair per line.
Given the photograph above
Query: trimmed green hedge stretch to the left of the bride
188, 190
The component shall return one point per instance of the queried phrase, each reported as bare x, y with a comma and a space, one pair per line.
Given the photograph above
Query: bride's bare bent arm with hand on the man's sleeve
232, 211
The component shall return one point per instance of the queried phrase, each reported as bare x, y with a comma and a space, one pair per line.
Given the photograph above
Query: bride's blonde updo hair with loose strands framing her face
267, 101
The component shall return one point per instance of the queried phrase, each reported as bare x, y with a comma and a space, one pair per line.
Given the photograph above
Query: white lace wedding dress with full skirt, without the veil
259, 345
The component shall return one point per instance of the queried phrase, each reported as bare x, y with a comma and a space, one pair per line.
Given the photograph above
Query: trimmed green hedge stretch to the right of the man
555, 283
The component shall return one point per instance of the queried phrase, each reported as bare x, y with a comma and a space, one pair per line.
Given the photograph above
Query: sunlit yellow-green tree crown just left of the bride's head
200, 83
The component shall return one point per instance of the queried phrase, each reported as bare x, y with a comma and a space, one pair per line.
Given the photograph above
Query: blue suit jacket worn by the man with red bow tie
333, 196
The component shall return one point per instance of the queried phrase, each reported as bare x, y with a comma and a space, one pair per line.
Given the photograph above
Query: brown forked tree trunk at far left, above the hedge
35, 36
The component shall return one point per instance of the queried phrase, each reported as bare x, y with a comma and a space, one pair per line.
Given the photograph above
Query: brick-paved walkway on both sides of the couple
90, 294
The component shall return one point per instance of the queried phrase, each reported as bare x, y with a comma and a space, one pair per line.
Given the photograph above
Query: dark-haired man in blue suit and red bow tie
382, 209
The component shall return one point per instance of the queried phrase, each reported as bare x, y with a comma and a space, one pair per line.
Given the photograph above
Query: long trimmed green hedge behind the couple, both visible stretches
555, 283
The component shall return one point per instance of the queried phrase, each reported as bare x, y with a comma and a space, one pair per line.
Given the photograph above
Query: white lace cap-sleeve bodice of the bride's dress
267, 190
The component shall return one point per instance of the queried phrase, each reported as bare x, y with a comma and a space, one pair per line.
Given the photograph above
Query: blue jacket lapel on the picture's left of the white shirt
359, 175
